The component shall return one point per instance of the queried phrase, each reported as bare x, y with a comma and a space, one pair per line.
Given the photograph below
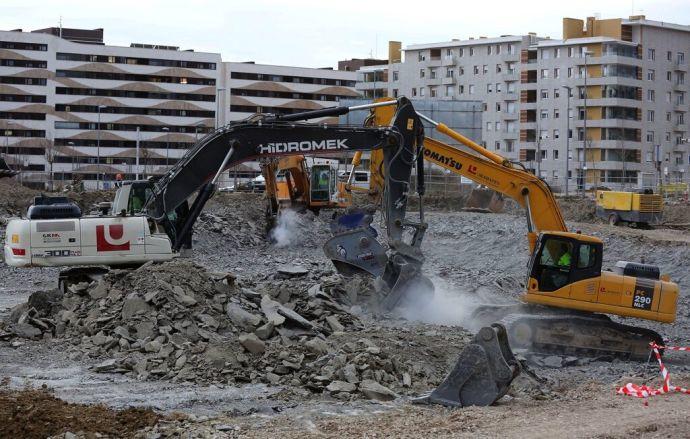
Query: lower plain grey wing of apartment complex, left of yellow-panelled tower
483, 69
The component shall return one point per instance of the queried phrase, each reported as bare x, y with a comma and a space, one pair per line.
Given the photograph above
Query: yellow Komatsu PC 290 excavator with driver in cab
568, 297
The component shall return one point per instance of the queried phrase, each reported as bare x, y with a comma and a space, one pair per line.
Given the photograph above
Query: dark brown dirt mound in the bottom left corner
37, 413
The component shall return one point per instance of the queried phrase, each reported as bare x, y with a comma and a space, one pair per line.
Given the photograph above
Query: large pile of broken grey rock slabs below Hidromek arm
176, 321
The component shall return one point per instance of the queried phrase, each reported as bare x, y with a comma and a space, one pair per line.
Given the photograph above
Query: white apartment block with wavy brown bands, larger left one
91, 111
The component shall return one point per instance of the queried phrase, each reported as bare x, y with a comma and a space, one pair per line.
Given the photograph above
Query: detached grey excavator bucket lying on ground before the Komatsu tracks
482, 373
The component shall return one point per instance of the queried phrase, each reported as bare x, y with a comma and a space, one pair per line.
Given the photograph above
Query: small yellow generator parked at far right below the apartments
642, 208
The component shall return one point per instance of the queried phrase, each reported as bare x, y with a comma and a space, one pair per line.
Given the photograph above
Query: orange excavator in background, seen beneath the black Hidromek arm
300, 182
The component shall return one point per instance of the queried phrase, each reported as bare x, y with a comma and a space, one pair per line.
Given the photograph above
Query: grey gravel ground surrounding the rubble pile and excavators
472, 258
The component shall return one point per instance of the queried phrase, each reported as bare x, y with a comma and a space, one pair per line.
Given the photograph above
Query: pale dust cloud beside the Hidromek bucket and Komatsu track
448, 306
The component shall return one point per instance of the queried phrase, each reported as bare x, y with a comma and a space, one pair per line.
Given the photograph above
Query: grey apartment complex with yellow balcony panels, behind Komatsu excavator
604, 106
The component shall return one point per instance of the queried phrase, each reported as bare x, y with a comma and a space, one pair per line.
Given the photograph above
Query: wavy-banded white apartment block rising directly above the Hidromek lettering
261, 88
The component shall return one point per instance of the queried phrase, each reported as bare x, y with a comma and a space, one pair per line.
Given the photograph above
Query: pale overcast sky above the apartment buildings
313, 33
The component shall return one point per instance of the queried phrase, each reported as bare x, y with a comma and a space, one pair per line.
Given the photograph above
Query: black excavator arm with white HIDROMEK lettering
271, 137
